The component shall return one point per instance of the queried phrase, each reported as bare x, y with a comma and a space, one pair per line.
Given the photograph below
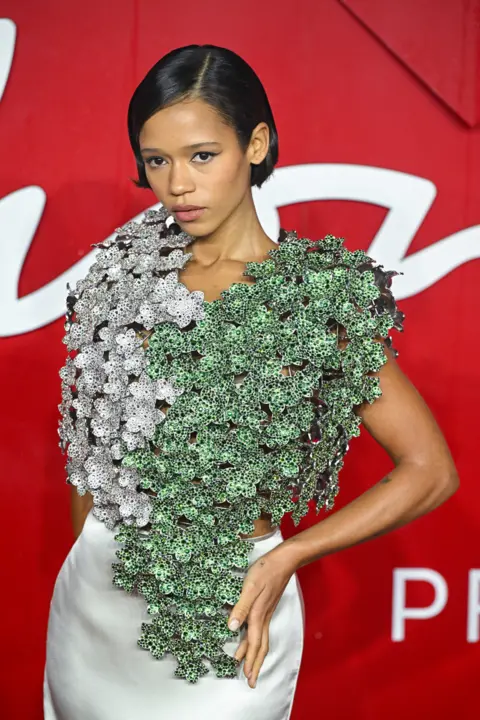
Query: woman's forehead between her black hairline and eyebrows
184, 123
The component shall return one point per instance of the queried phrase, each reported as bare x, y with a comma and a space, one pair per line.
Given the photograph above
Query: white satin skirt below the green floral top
96, 671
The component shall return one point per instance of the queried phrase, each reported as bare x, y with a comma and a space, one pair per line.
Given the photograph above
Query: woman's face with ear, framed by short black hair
192, 157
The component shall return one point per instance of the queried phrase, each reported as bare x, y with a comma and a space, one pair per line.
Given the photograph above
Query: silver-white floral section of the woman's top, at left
109, 402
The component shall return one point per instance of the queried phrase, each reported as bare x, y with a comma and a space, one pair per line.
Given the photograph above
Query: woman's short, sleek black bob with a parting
219, 77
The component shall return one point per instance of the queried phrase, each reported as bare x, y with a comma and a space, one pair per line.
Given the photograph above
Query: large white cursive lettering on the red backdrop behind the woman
408, 199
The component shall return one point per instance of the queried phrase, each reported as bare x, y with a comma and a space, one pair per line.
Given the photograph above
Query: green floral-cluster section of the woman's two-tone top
262, 425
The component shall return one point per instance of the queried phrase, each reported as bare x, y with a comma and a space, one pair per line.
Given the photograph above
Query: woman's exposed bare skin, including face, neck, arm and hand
228, 235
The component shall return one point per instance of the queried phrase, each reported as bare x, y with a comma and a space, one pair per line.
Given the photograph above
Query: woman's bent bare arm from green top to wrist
423, 478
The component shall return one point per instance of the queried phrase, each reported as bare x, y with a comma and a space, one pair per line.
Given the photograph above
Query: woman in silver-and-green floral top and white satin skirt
200, 406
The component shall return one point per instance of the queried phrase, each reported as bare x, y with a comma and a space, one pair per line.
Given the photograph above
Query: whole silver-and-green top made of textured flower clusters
260, 387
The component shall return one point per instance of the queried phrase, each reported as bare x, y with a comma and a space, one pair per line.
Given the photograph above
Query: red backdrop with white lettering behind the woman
377, 107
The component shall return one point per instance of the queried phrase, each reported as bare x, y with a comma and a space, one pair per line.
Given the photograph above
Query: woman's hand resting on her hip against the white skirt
263, 587
